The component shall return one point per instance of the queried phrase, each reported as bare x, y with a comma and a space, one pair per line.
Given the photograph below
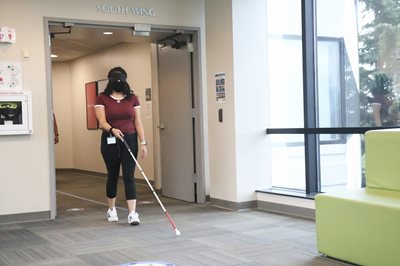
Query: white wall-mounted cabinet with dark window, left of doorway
16, 113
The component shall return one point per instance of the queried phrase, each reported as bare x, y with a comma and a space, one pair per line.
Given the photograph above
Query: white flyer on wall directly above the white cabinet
10, 76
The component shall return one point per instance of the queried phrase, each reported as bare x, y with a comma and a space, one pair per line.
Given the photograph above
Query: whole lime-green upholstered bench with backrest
363, 226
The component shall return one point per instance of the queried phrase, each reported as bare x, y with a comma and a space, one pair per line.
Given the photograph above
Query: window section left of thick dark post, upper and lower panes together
286, 93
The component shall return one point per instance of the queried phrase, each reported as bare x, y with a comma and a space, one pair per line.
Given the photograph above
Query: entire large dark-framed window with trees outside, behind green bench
357, 56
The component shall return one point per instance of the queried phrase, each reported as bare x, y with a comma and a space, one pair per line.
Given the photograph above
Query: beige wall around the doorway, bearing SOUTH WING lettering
26, 167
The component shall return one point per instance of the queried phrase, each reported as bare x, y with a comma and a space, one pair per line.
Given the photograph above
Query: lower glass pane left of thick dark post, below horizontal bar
287, 162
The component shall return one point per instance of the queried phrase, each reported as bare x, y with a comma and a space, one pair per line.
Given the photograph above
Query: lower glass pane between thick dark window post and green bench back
341, 164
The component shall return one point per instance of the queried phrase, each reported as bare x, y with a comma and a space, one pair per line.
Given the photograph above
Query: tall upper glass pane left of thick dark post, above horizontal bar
285, 64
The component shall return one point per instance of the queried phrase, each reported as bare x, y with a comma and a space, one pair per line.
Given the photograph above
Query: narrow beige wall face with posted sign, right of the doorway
222, 140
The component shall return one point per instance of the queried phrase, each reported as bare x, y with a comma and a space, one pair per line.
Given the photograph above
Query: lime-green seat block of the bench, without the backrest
360, 226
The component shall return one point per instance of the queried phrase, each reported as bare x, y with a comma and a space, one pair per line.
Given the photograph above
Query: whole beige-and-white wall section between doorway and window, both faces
238, 145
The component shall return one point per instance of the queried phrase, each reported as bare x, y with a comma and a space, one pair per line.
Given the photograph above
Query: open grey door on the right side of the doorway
176, 123
